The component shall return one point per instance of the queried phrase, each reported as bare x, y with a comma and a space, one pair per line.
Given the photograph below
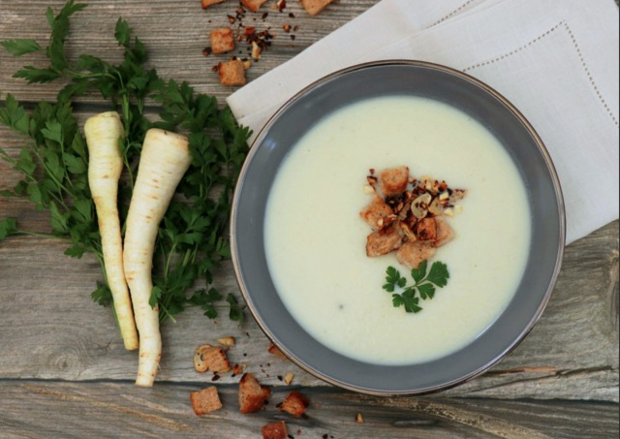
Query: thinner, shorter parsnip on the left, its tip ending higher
104, 170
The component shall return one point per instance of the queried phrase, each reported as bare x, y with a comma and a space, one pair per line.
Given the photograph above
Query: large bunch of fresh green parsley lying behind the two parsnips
192, 238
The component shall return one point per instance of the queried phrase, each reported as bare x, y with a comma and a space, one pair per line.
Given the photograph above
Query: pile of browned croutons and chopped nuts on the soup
407, 215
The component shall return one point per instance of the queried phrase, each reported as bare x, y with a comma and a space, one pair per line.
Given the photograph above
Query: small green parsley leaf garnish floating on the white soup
424, 286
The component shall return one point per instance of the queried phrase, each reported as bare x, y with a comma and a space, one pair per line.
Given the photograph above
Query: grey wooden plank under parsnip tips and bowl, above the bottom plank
67, 336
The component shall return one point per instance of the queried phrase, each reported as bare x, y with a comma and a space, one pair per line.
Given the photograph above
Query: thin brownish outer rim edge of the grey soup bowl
560, 204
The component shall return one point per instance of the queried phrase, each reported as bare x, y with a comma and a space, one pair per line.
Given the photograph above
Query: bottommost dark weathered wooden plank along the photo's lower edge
117, 410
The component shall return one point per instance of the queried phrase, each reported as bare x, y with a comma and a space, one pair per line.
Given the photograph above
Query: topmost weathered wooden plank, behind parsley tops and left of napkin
175, 33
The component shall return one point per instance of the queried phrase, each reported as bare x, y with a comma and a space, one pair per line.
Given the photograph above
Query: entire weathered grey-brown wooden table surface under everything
64, 372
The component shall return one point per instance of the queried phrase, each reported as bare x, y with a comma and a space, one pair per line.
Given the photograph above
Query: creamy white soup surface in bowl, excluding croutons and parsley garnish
315, 239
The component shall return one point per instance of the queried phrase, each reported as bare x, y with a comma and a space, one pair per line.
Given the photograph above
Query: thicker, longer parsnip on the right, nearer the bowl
165, 159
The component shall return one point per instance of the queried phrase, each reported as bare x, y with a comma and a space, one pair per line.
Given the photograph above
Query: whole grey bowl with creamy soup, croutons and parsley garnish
397, 228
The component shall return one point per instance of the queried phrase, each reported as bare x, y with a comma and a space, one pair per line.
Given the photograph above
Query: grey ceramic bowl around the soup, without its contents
409, 78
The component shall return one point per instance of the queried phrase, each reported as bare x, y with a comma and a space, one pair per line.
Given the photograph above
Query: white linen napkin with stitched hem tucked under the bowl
556, 60
